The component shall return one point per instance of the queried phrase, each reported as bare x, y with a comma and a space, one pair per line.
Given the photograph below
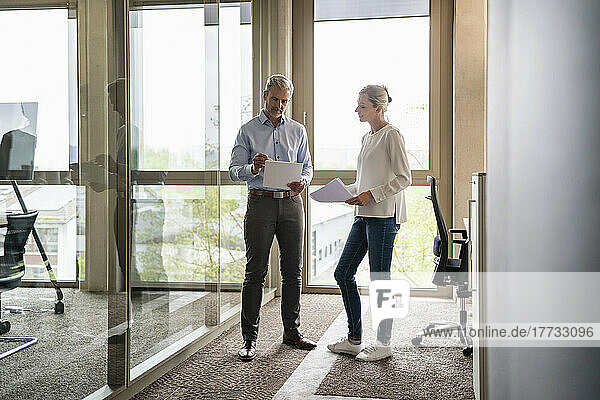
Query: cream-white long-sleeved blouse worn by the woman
383, 170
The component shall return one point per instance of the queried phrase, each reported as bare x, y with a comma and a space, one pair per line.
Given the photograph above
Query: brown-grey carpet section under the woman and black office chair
430, 372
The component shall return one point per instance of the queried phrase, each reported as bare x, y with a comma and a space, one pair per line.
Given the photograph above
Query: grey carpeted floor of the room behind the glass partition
70, 359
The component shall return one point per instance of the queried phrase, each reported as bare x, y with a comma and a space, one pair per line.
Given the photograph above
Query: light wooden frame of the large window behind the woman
440, 118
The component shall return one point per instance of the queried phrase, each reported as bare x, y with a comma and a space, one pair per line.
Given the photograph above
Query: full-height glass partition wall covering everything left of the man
136, 114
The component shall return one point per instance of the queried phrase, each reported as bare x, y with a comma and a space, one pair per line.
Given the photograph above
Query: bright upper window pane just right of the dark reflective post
172, 52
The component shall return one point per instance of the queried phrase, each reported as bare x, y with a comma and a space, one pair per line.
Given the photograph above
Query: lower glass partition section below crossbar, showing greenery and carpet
175, 265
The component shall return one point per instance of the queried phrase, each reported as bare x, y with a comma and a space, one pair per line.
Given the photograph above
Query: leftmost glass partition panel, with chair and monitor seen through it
70, 359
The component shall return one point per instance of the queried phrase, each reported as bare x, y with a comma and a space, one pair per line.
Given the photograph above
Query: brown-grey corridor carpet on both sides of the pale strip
423, 373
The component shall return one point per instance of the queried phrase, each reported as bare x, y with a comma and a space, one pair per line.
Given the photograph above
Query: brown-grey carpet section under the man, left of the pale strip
214, 372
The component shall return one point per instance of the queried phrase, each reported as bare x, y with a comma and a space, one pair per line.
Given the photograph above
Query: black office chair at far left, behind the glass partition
12, 269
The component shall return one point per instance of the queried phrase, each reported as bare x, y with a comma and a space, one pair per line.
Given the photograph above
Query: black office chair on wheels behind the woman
449, 272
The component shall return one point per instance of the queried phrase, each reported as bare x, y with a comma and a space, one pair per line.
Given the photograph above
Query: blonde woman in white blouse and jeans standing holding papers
382, 175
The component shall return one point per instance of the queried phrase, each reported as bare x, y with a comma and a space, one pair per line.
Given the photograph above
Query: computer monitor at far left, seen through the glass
18, 124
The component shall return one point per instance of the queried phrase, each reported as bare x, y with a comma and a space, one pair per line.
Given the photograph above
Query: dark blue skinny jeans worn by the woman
375, 235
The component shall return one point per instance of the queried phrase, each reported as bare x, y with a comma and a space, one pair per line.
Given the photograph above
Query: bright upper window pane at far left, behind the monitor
41, 67
